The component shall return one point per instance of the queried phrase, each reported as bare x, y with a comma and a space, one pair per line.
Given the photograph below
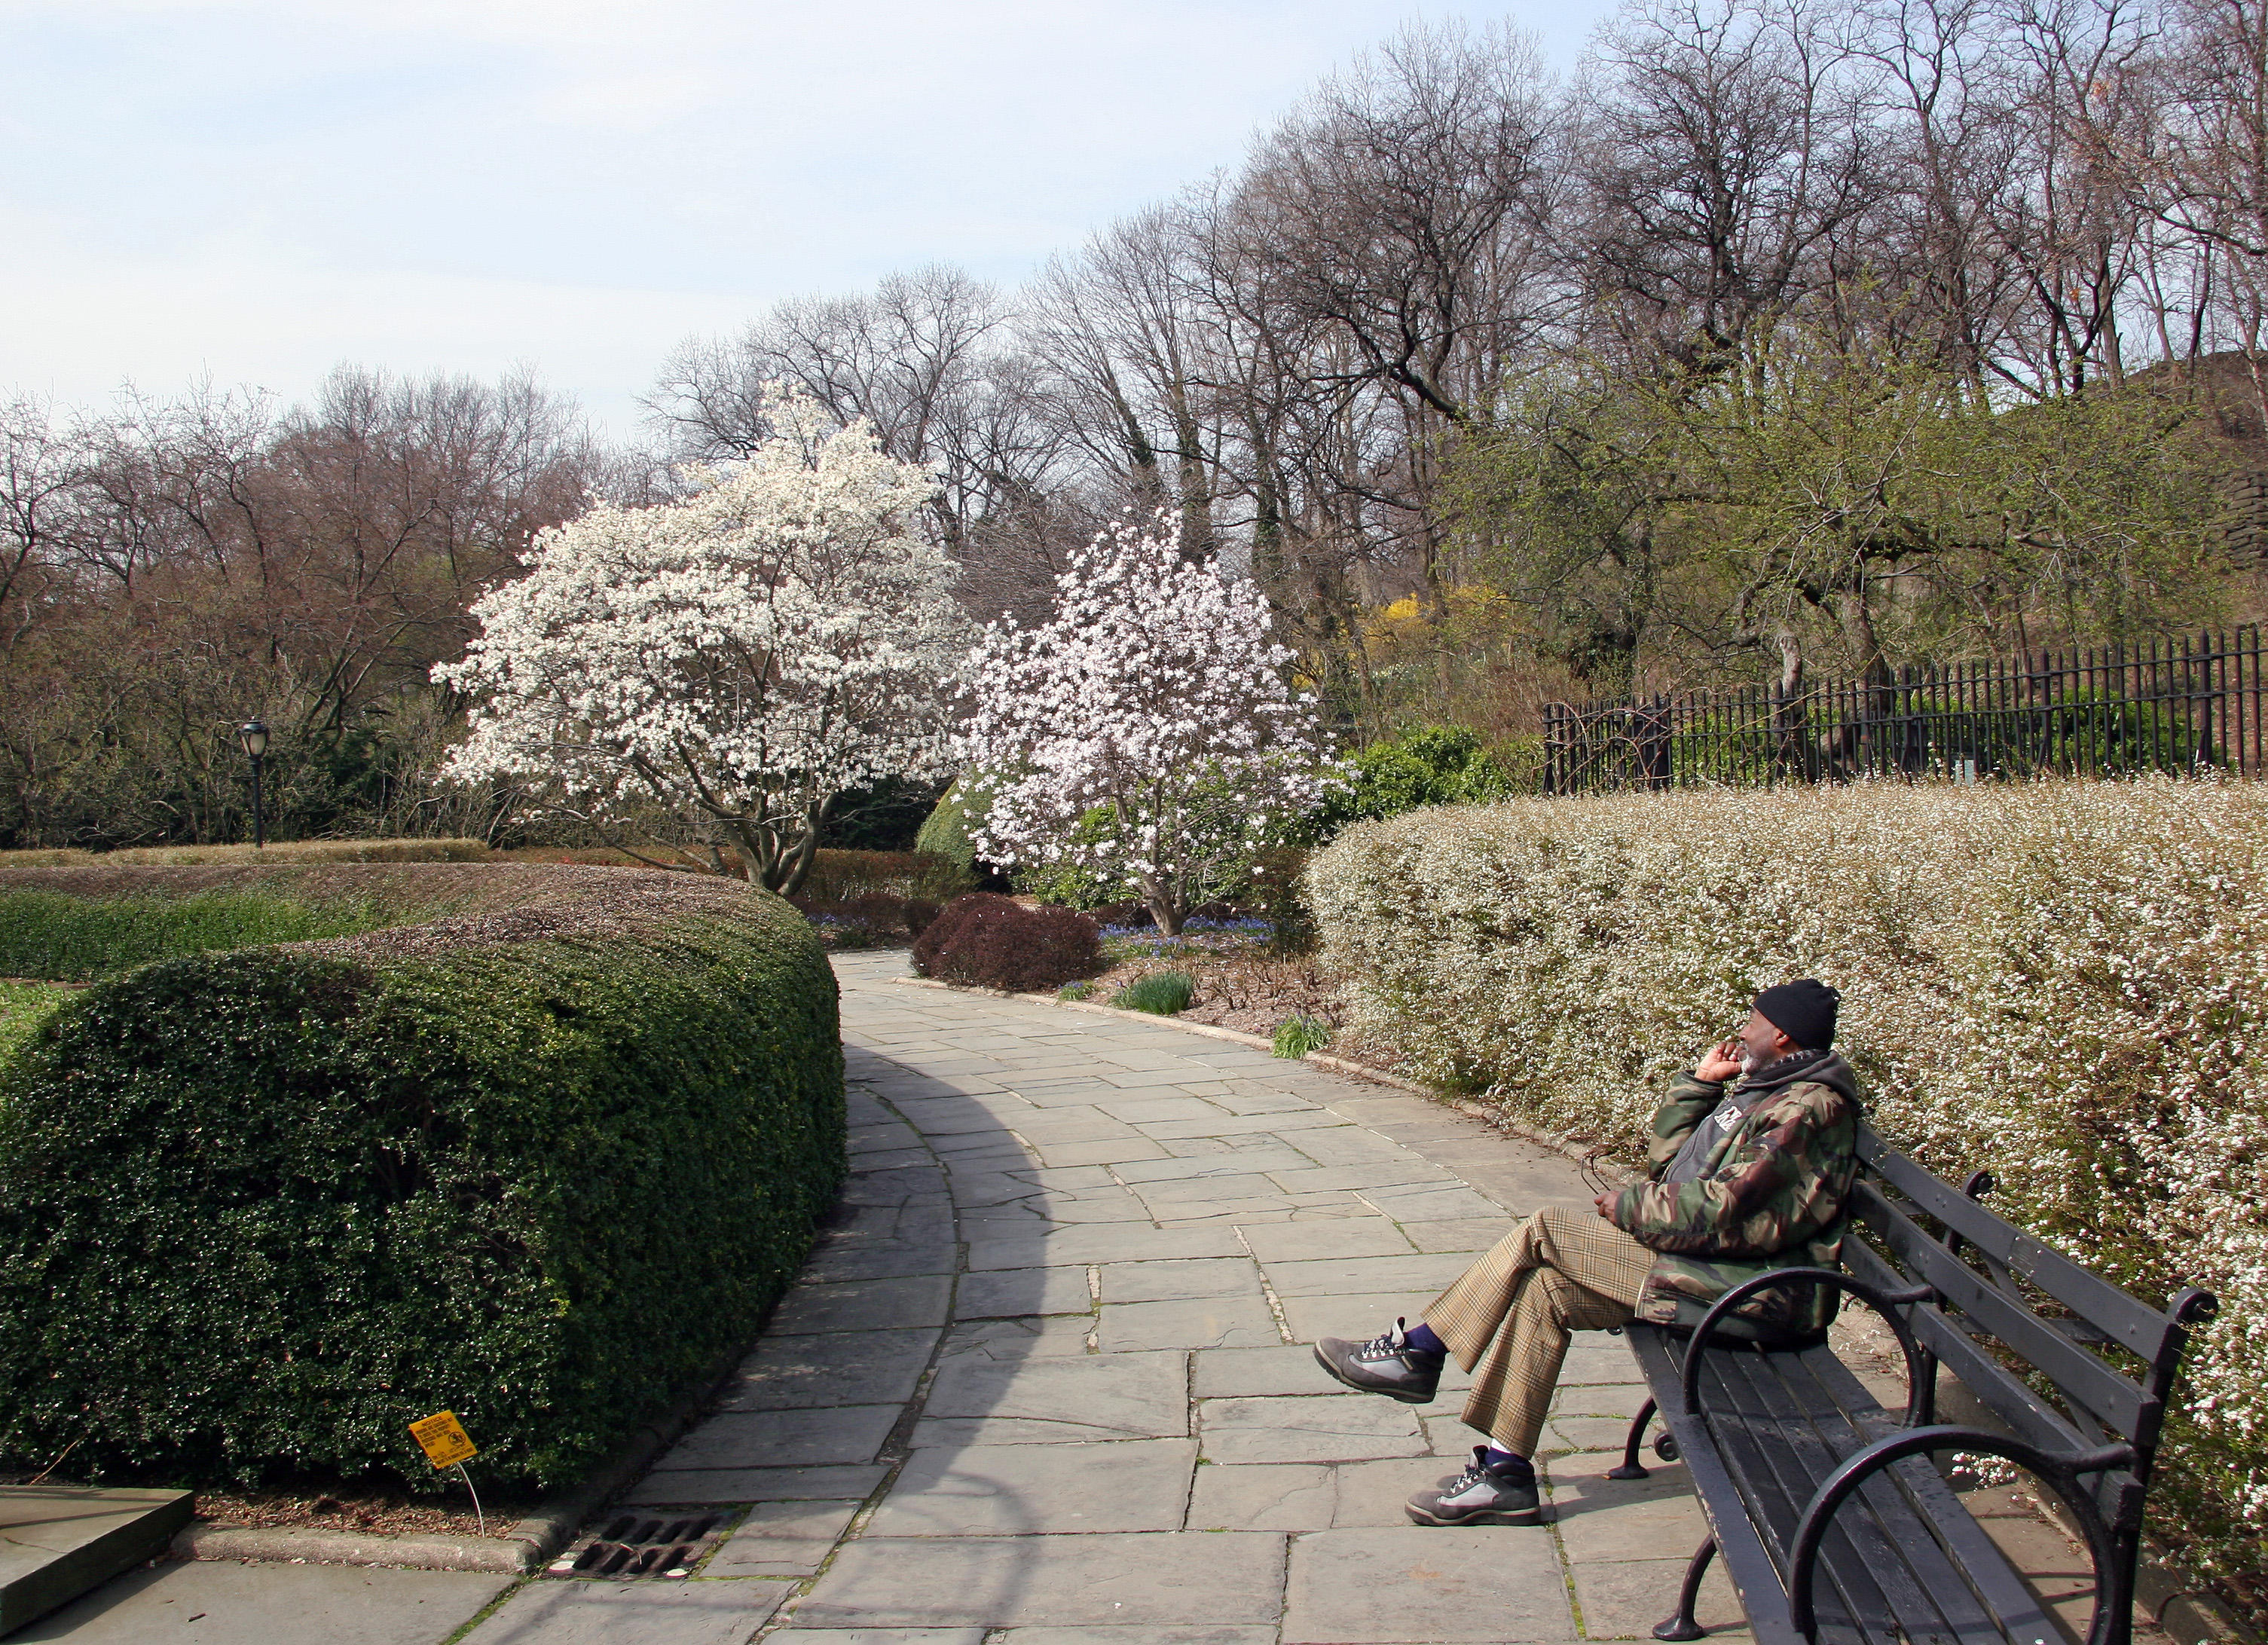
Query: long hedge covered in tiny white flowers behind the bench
2067, 984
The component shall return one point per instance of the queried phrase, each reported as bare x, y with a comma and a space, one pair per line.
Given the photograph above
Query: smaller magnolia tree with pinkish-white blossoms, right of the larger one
1146, 729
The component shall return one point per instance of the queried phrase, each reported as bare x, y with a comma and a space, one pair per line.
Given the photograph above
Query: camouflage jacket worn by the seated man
1770, 1195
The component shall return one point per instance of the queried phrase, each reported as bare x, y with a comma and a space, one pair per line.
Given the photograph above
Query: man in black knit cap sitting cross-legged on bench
1745, 1181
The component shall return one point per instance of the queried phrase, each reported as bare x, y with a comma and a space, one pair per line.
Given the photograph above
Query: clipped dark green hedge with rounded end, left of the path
541, 1163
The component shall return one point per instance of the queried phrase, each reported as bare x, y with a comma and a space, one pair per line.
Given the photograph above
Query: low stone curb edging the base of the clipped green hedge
527, 1546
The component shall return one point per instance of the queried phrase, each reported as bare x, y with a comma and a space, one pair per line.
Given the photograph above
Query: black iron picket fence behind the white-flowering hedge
2160, 707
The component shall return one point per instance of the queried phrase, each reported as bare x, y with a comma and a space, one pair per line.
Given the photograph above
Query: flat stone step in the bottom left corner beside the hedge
60, 1542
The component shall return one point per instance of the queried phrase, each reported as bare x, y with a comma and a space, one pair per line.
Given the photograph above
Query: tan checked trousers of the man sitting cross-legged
1507, 1317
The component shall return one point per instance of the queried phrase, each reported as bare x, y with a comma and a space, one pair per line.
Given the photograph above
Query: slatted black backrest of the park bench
2002, 1292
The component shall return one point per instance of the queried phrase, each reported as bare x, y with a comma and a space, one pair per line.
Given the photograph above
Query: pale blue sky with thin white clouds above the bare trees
253, 192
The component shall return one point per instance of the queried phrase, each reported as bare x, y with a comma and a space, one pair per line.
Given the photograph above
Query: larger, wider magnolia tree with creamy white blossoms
738, 657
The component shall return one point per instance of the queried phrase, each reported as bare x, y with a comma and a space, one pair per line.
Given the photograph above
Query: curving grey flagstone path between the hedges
1049, 1383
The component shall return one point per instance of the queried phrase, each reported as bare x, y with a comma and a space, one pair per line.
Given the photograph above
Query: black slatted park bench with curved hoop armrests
1829, 1512
